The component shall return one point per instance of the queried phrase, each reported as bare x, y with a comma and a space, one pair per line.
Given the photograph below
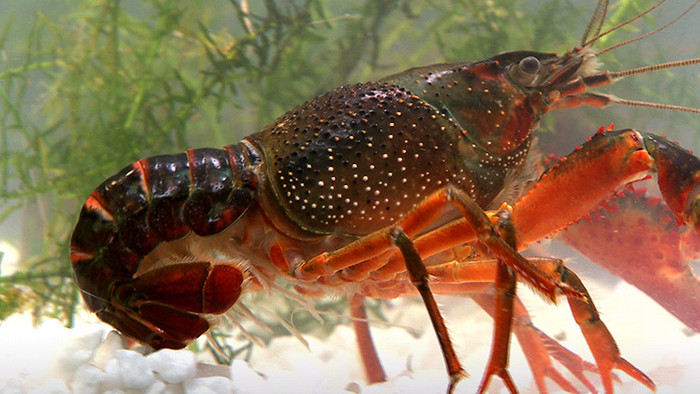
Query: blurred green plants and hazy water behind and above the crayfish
87, 87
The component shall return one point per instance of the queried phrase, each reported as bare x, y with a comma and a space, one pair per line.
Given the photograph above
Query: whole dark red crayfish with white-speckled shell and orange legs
422, 182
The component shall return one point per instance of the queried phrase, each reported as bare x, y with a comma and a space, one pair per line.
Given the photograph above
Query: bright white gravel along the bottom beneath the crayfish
91, 359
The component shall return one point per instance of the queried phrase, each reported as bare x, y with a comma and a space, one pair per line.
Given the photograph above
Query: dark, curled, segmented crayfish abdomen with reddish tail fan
151, 202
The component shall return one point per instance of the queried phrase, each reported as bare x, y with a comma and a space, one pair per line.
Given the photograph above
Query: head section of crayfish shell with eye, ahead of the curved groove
495, 102
